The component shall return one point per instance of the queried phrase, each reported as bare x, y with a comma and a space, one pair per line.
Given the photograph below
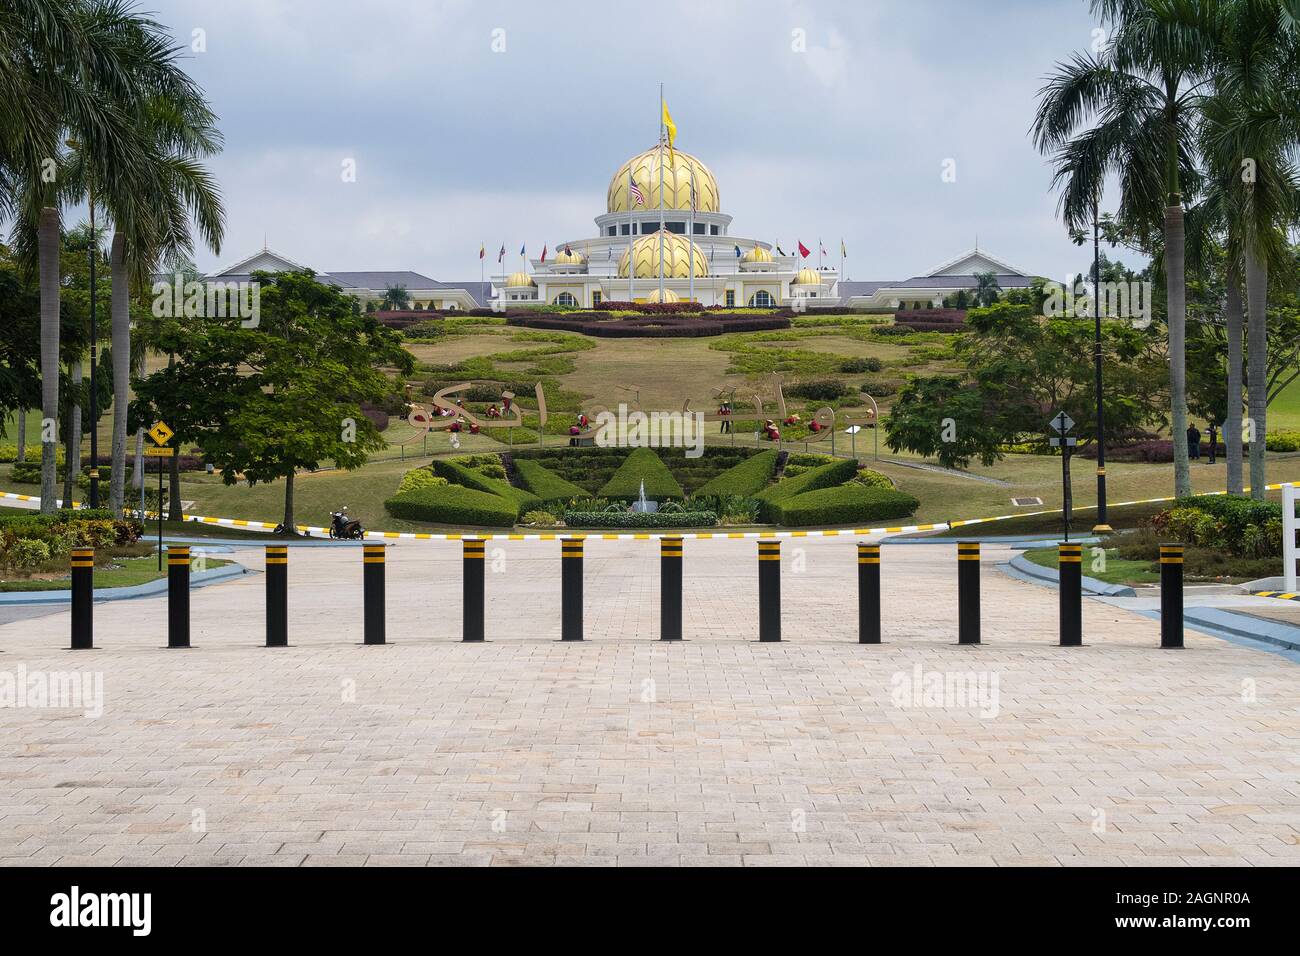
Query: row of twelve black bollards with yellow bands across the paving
671, 550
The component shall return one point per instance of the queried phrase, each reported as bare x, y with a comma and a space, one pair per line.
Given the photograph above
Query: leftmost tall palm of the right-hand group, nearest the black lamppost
1138, 94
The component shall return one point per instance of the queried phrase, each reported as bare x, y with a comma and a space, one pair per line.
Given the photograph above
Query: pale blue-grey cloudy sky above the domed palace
502, 123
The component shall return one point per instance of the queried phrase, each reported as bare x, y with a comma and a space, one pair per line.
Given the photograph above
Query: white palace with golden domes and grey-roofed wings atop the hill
701, 259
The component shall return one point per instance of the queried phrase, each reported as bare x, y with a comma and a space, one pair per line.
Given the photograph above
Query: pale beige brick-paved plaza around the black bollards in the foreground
625, 751
